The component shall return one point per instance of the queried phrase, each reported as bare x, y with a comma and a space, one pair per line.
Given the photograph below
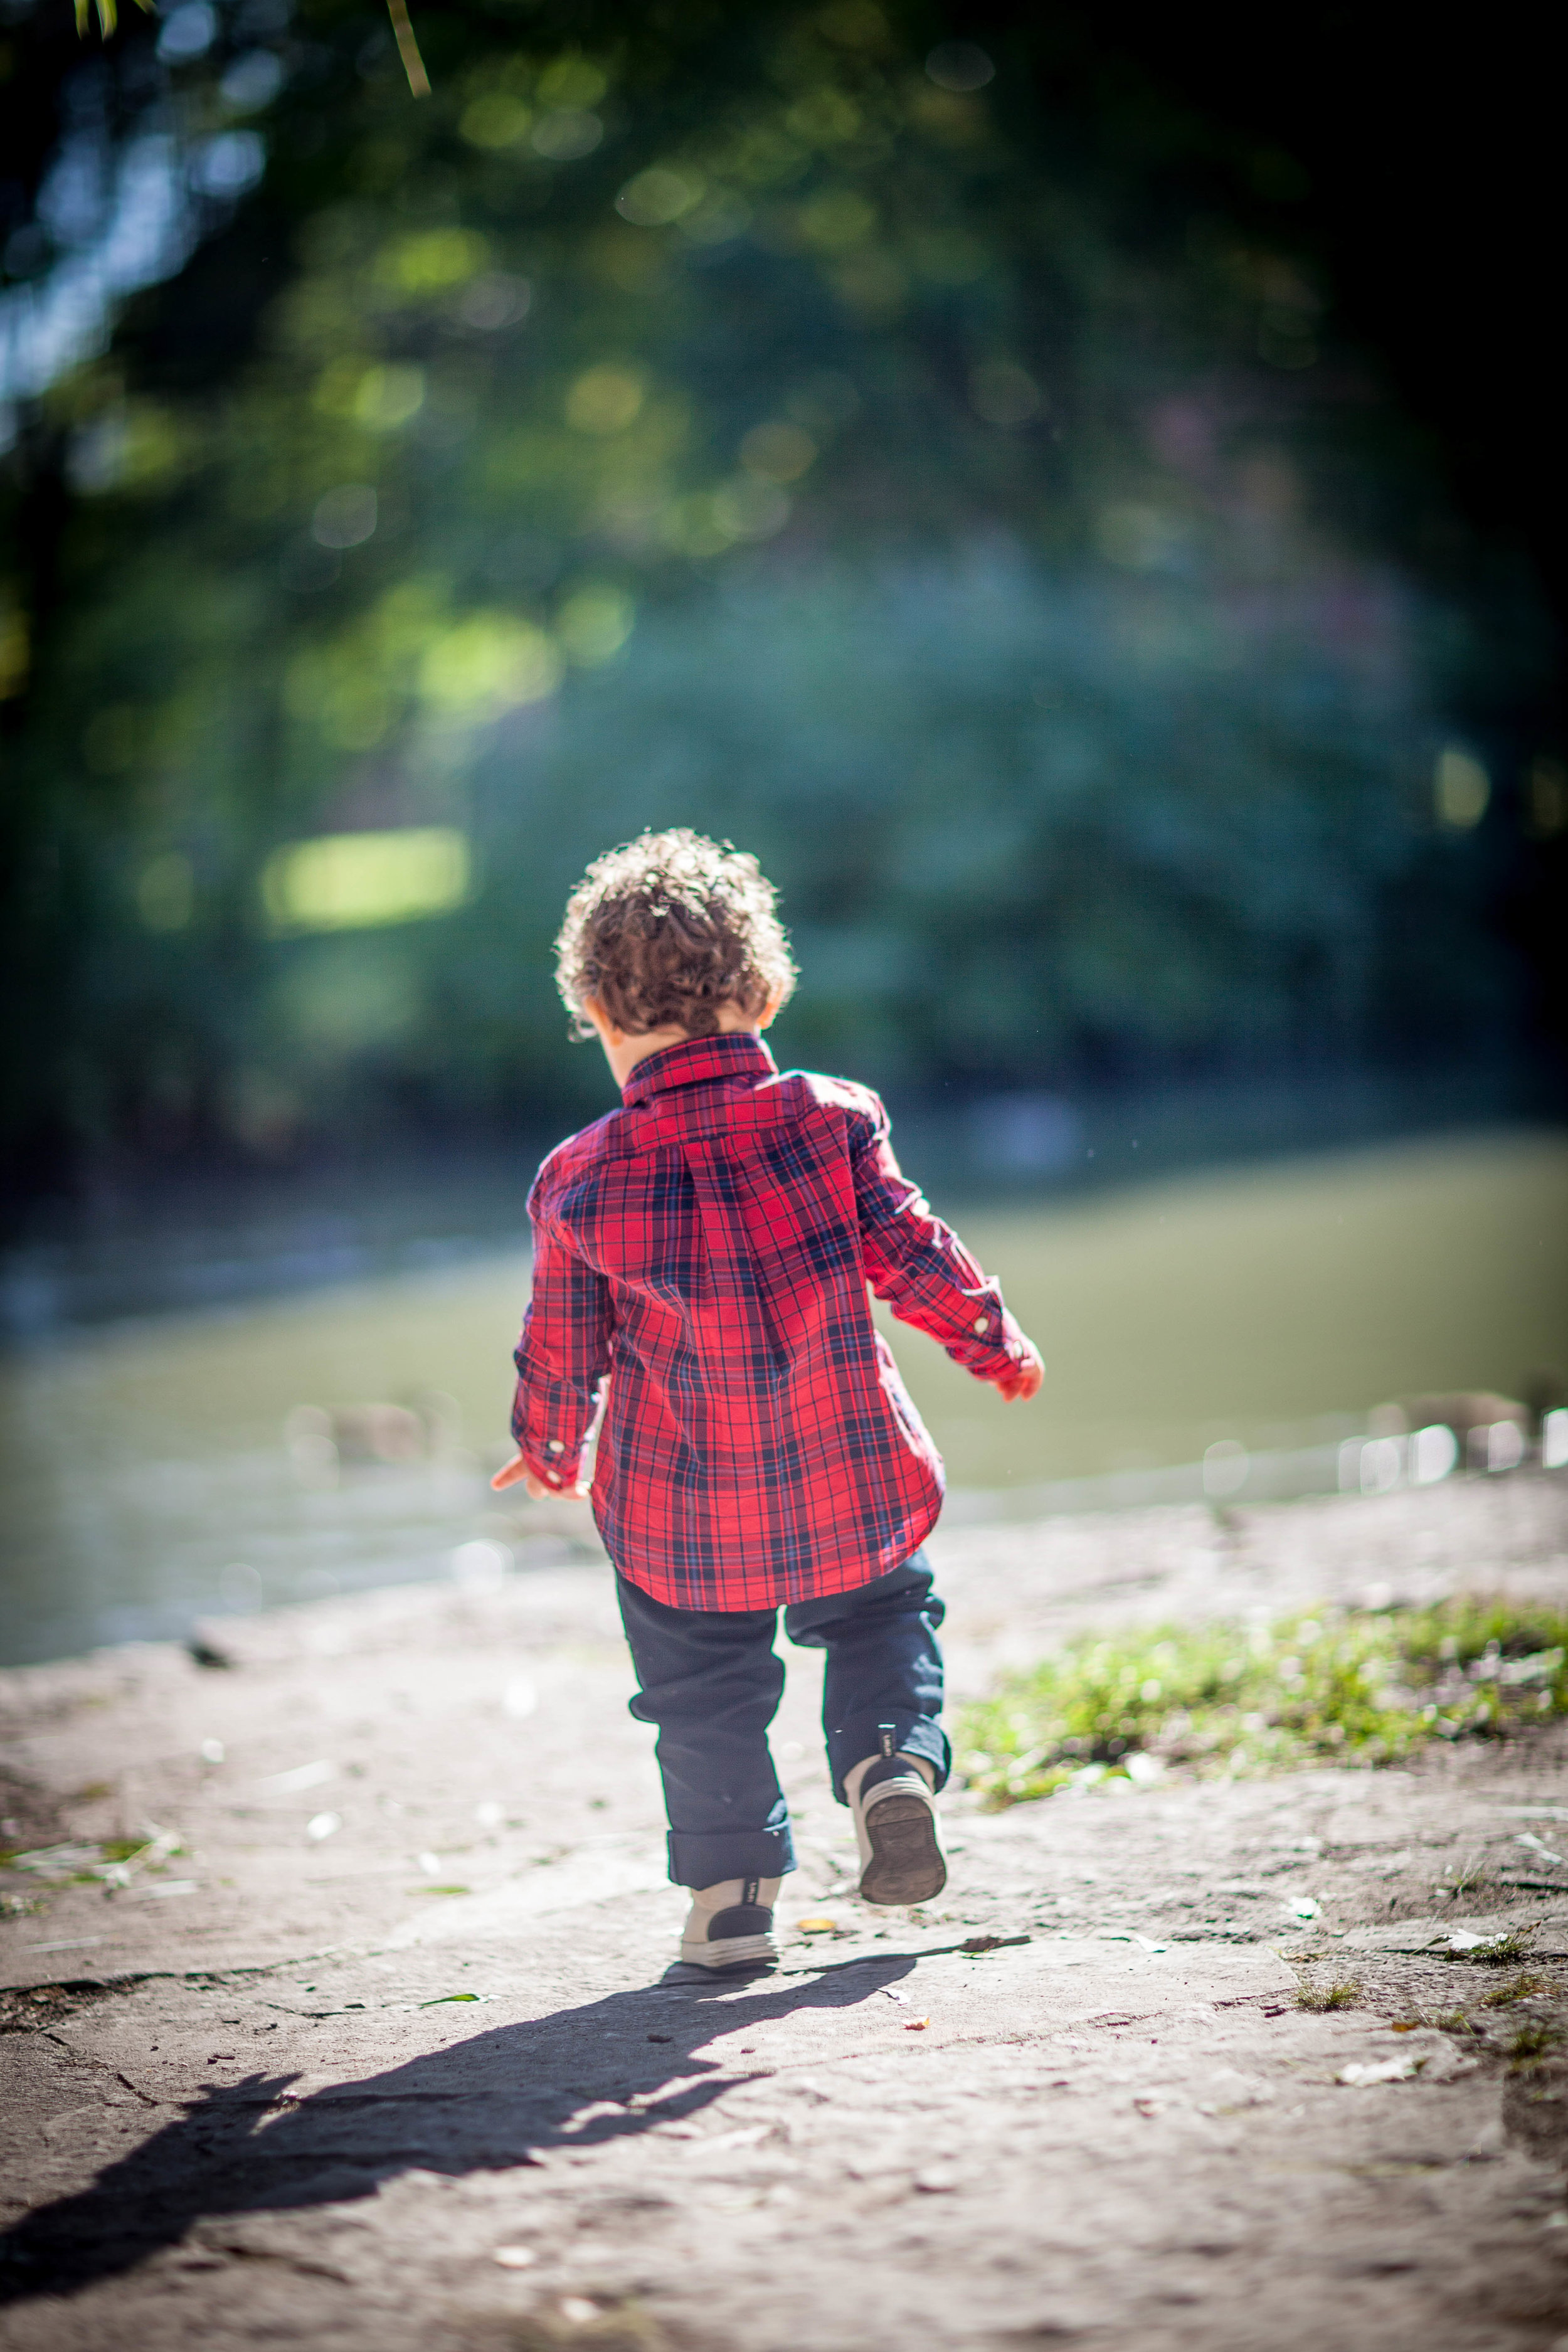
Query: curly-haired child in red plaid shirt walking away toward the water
706, 1252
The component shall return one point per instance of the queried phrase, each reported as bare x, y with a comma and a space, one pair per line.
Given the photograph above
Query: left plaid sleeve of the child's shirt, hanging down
563, 1356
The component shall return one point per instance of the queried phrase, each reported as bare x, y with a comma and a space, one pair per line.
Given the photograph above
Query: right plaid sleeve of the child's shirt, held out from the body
920, 1269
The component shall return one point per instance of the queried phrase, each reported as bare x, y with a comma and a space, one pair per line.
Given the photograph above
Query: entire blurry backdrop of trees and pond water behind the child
1076, 493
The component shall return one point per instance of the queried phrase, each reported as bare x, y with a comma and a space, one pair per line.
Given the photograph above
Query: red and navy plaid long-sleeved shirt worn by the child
709, 1248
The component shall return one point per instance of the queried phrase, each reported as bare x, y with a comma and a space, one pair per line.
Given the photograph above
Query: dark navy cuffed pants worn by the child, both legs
711, 1681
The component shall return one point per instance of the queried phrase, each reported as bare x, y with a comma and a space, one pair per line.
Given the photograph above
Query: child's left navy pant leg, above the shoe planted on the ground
711, 1681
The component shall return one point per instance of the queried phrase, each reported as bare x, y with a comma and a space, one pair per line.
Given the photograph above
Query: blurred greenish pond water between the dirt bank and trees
161, 1469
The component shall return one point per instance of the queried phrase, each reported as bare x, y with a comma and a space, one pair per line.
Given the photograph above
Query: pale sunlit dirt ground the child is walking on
396, 2005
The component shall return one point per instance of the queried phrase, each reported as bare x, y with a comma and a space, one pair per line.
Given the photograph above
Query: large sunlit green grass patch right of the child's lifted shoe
1257, 1697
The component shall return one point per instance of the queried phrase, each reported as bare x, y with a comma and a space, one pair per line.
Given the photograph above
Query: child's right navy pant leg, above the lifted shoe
883, 1669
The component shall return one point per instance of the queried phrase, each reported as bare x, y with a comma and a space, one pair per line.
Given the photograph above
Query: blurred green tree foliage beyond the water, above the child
798, 425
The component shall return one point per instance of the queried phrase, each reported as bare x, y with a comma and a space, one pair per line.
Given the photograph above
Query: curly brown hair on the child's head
666, 930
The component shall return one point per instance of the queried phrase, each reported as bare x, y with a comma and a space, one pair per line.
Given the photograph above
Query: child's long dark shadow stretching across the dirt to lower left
483, 2104
